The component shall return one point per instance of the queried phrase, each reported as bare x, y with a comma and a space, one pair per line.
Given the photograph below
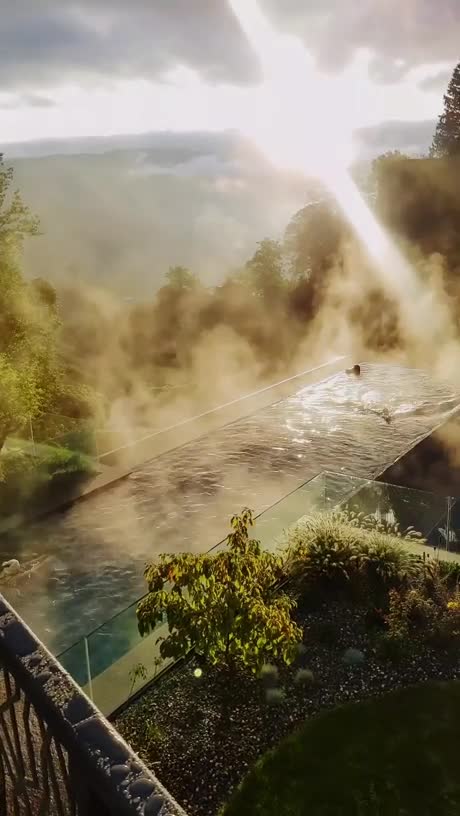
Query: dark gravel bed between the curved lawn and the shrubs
202, 735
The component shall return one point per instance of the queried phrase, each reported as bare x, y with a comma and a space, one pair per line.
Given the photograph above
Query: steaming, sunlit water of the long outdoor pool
182, 500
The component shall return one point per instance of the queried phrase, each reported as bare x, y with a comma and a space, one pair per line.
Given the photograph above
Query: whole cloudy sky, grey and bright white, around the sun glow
98, 67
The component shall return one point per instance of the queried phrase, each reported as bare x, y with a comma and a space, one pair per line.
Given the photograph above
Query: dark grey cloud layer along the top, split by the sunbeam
47, 41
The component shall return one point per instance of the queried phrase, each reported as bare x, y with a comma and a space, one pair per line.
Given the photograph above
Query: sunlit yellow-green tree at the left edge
27, 321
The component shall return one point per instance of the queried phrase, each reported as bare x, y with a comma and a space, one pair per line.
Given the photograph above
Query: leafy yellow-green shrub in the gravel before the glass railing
224, 604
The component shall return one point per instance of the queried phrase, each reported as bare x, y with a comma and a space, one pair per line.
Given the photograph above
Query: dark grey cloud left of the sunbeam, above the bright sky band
49, 41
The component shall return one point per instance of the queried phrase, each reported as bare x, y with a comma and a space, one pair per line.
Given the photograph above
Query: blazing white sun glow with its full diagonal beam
299, 127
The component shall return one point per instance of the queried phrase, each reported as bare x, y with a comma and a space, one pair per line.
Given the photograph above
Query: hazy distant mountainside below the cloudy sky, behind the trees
118, 211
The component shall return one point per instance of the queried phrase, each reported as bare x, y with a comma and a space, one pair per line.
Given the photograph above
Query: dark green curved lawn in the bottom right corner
394, 756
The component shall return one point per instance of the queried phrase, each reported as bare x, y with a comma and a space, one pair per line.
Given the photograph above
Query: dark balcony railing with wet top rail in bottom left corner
58, 755
